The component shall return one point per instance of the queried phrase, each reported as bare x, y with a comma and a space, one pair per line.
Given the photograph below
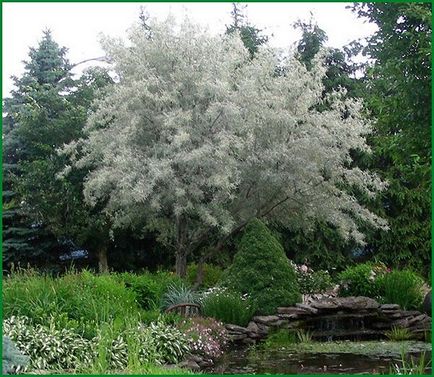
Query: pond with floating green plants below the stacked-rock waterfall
292, 361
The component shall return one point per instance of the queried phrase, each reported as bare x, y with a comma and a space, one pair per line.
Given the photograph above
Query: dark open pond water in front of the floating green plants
244, 361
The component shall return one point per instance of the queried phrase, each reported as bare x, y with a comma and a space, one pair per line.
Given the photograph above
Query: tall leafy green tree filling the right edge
398, 94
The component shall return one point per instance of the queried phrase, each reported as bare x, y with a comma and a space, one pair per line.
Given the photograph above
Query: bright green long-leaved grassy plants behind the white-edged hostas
77, 301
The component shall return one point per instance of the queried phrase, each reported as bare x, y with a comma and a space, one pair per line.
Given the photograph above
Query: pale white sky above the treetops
77, 26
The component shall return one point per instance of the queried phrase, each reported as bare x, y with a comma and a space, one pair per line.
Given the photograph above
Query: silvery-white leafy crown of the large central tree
194, 129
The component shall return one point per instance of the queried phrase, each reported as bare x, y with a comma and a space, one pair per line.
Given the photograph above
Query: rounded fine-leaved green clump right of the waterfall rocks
403, 288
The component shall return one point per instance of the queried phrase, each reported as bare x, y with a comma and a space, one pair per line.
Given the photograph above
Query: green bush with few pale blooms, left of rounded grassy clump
361, 280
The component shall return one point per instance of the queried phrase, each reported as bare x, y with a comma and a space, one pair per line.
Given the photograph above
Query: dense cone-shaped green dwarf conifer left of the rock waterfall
261, 270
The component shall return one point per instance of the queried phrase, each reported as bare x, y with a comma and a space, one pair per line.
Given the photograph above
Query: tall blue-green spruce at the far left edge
24, 239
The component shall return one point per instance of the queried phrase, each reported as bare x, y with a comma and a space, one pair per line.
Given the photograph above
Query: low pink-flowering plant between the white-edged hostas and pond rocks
207, 337
